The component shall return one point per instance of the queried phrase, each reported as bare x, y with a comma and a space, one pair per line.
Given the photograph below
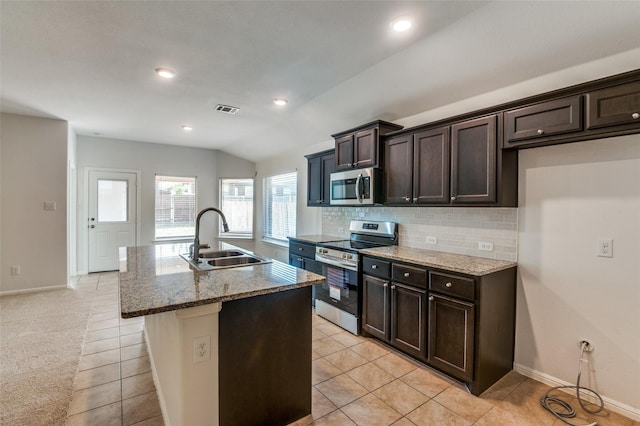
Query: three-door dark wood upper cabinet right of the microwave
459, 164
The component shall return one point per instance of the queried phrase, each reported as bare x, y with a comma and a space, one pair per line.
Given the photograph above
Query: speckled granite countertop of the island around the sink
155, 279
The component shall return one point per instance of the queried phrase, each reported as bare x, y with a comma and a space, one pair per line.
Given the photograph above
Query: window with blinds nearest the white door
175, 206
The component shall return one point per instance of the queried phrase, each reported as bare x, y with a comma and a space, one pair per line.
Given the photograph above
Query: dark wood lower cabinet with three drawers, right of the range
460, 324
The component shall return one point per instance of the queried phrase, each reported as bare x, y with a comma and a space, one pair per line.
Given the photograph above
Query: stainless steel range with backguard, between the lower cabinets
339, 298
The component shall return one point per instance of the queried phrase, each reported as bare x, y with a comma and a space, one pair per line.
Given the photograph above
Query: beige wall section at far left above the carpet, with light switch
34, 170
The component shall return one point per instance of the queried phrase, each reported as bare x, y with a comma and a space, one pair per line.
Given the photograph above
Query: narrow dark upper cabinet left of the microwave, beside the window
319, 169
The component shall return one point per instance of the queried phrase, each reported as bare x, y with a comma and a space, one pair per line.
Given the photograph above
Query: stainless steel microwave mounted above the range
355, 187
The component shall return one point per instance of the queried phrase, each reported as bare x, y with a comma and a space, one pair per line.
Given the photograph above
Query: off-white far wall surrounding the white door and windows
151, 159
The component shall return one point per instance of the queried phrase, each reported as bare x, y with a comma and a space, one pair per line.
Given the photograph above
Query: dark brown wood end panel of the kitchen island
265, 359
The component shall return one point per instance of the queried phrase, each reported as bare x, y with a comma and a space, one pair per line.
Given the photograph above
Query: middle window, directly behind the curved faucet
236, 202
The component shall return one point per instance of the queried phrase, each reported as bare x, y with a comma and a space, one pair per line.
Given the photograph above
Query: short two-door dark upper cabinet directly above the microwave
360, 147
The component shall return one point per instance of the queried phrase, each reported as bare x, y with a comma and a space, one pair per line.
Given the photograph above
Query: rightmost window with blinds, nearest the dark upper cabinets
280, 207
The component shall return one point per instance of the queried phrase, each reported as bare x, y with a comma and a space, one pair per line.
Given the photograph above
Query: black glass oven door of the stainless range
340, 288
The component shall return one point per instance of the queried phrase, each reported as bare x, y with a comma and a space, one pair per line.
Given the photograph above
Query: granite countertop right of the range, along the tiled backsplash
469, 265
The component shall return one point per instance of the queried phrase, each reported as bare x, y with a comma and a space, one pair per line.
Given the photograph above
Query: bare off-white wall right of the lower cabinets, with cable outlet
571, 196
